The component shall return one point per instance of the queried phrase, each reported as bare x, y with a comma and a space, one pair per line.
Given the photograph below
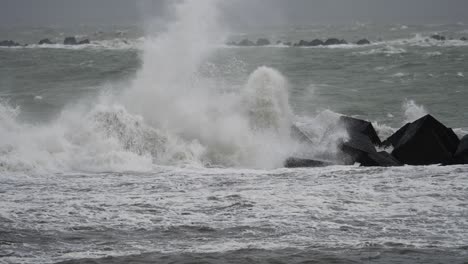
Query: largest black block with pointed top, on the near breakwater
425, 141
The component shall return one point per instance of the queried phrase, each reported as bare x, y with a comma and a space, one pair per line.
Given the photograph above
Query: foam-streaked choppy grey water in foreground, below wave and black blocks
331, 215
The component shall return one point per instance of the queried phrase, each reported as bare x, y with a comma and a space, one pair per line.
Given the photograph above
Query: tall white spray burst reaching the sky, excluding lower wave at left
249, 127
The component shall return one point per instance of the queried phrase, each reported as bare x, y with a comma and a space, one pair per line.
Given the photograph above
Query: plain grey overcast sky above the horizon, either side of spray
237, 12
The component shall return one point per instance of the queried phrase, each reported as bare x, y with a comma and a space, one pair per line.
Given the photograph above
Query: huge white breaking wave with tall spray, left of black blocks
171, 114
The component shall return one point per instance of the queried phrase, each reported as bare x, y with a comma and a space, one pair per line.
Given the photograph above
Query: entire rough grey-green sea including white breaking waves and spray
166, 146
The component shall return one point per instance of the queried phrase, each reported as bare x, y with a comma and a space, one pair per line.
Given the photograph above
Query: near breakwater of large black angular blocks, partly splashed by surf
425, 141
